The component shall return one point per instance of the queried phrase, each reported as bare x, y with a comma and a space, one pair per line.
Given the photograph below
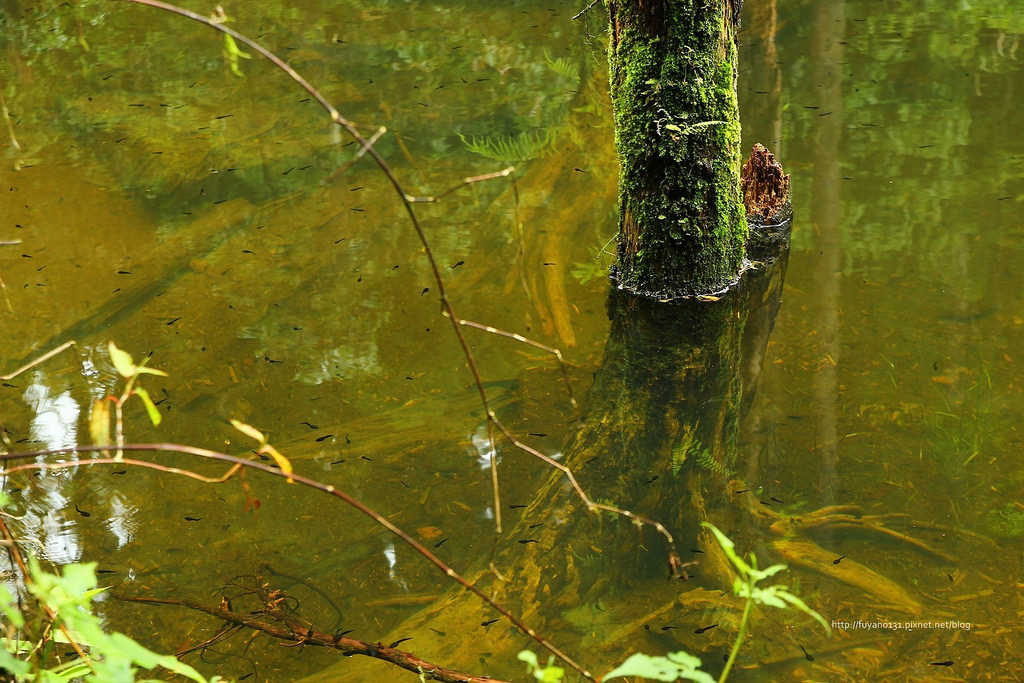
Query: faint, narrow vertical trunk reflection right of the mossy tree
826, 208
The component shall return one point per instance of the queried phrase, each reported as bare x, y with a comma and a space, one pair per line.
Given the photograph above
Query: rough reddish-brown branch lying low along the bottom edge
346, 646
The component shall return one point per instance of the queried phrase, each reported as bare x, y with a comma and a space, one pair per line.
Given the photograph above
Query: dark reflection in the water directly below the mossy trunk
660, 438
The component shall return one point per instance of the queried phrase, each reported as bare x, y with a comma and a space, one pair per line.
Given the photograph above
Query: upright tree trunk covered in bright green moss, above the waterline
673, 75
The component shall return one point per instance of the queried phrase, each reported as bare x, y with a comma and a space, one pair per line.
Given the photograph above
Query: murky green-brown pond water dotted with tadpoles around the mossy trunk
180, 209
